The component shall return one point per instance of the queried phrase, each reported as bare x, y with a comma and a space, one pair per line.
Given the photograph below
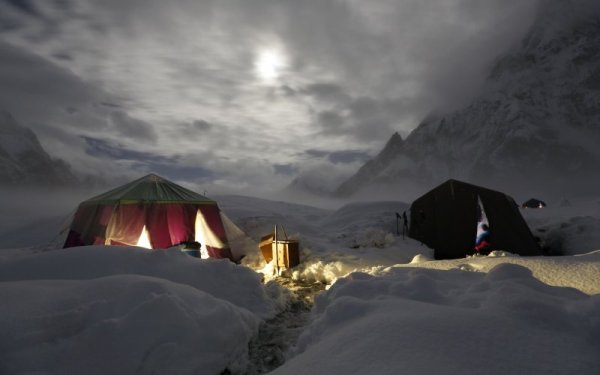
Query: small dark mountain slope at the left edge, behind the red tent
23, 161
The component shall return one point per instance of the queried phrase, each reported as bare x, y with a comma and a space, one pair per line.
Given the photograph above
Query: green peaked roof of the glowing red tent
150, 188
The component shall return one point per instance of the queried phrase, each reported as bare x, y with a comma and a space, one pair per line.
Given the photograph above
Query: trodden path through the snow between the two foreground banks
277, 335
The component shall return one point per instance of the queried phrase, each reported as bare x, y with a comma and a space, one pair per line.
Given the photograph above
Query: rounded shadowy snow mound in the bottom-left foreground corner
122, 324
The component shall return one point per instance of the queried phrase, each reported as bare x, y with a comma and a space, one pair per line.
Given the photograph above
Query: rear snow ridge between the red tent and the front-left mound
220, 278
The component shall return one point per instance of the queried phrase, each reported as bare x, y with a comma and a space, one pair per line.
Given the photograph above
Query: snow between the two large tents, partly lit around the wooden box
357, 237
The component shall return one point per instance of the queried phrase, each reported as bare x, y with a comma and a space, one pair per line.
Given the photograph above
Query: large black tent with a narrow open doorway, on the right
446, 219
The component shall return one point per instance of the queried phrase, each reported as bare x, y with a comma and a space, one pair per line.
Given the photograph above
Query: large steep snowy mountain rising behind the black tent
534, 127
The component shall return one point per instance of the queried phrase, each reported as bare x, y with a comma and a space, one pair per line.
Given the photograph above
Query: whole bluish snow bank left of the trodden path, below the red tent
123, 310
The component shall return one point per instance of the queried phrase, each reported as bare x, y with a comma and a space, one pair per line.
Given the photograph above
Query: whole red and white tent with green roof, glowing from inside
151, 212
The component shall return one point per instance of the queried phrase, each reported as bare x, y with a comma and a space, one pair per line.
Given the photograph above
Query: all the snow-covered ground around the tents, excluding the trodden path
388, 307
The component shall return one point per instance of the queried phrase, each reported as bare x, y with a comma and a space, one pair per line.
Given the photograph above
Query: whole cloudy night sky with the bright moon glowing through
241, 95
